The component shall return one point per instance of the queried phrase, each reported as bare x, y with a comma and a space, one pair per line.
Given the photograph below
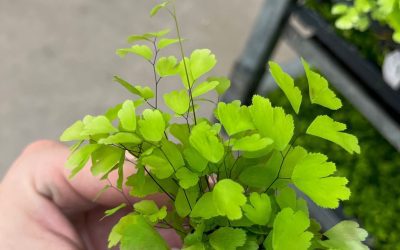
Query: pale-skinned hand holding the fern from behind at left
40, 208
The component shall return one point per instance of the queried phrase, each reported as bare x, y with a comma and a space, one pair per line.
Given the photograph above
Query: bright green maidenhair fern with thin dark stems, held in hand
231, 184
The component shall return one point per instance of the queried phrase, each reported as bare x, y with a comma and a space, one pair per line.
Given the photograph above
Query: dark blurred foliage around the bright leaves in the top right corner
373, 43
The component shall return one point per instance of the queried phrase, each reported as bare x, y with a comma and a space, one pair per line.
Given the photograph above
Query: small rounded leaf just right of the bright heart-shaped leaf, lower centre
259, 209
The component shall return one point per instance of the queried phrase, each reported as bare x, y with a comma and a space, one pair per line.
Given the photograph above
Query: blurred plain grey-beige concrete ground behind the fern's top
57, 57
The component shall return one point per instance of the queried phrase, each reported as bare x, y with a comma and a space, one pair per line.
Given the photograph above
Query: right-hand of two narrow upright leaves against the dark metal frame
319, 89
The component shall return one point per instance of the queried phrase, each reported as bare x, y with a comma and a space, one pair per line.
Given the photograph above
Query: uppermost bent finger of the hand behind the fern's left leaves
42, 165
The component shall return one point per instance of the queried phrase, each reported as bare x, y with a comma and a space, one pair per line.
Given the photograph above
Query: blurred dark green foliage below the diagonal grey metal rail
374, 175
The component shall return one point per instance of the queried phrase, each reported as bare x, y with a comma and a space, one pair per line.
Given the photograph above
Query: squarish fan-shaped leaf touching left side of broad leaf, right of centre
234, 118
